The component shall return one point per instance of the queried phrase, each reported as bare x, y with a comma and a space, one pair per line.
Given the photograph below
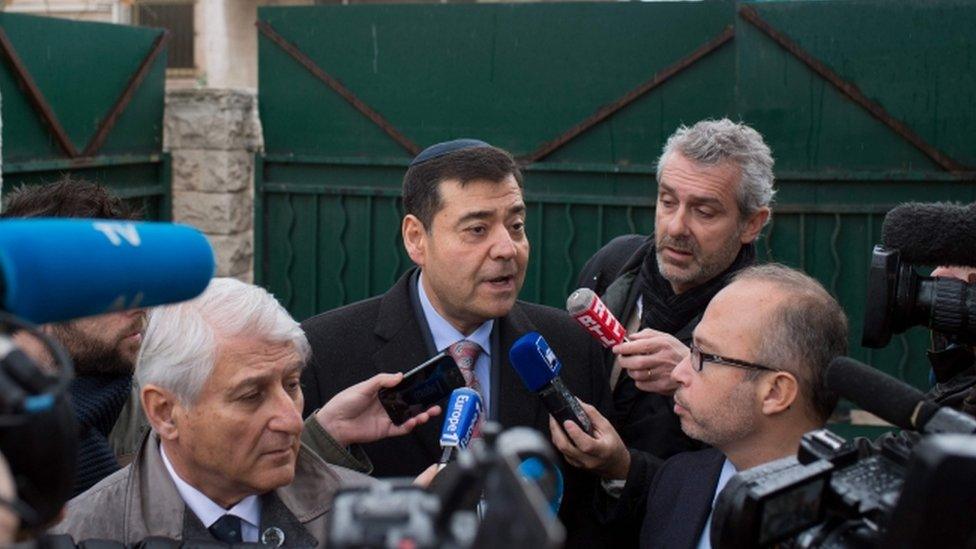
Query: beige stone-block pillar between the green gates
213, 135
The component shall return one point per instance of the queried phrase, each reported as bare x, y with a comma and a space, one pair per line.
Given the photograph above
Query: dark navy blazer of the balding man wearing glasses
680, 500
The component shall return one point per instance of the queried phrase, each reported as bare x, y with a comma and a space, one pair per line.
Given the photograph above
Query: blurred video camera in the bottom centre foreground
485, 480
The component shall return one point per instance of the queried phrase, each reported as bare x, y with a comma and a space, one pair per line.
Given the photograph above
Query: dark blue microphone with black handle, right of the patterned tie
539, 368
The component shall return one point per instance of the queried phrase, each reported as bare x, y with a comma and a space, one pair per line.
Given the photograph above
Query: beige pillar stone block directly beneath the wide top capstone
212, 171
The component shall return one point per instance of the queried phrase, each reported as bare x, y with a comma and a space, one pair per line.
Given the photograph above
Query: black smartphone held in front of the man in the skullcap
421, 388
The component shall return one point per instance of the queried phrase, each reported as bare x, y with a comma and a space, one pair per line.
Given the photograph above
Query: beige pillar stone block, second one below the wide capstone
214, 213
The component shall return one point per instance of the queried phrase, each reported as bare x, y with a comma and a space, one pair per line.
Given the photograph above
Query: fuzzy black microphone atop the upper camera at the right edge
936, 233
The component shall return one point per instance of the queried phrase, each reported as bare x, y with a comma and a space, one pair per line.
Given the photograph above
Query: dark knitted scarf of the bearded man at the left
97, 401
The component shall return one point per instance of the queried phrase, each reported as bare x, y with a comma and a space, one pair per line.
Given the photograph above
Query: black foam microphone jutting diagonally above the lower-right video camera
892, 400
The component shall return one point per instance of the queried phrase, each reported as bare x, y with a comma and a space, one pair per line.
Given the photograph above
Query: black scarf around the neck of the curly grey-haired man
668, 312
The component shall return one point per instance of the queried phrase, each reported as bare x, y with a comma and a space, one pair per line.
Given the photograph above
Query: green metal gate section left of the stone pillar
86, 99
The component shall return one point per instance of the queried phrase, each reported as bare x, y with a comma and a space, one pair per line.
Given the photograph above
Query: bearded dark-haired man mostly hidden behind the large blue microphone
103, 348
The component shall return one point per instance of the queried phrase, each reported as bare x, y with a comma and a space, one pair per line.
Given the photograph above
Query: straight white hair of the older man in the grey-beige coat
180, 345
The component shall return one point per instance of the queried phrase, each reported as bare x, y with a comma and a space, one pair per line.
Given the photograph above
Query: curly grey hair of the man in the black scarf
713, 142
